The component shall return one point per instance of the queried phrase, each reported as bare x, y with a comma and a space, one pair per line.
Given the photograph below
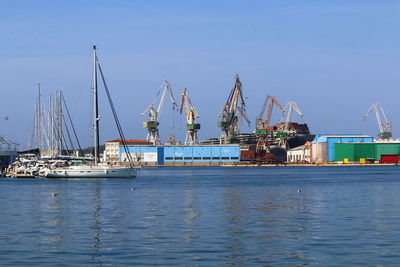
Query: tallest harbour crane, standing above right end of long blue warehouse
230, 115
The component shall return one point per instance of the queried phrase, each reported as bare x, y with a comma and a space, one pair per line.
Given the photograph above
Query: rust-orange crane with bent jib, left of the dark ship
262, 126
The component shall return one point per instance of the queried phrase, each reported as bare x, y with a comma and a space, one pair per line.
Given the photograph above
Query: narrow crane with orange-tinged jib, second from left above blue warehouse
191, 116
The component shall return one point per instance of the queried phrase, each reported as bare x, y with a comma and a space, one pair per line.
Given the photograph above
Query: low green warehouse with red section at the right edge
378, 152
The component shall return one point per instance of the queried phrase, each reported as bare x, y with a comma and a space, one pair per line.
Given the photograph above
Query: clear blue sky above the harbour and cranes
333, 58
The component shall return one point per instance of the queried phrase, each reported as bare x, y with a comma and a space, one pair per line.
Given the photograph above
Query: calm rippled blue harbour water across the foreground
328, 216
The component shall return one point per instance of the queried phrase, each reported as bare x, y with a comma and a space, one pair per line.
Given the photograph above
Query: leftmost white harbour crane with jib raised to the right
154, 114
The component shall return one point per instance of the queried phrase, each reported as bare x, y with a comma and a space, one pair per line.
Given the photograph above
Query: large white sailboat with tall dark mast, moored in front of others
95, 170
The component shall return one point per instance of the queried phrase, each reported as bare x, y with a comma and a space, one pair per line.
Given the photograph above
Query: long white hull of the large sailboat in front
91, 172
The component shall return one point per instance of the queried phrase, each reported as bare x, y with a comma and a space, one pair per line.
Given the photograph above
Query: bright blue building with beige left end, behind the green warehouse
323, 146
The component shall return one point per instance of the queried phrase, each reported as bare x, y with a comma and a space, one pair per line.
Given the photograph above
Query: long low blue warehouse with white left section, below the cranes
182, 154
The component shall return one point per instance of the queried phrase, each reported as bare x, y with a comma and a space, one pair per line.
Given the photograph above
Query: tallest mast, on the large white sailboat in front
96, 109
